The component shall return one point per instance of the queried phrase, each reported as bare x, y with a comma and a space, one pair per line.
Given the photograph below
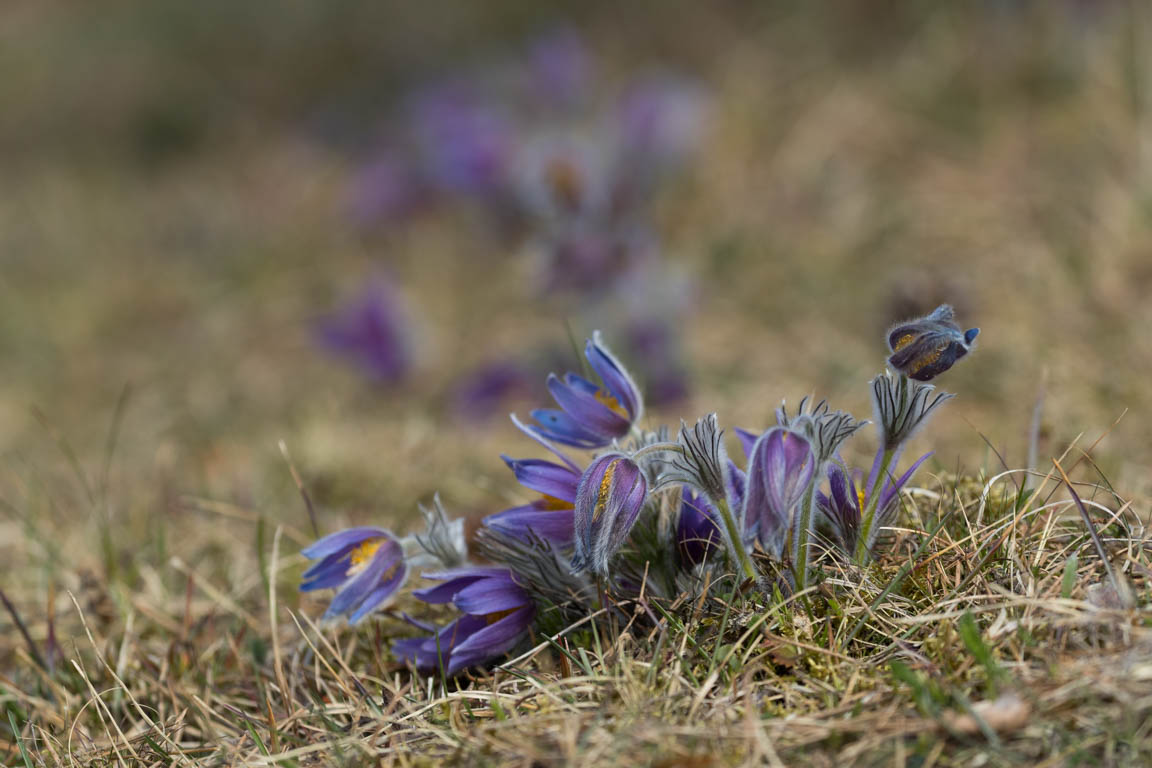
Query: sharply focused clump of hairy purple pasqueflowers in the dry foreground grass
622, 510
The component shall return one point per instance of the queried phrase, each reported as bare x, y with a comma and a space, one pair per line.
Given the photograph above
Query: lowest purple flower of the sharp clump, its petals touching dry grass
497, 612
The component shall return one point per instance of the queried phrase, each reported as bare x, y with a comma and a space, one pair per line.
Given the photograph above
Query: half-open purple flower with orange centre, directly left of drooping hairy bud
551, 518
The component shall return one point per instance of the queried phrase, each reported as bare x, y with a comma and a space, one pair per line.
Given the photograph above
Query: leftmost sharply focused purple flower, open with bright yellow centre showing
366, 566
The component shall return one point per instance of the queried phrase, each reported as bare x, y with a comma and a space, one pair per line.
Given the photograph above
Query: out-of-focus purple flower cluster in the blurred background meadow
560, 164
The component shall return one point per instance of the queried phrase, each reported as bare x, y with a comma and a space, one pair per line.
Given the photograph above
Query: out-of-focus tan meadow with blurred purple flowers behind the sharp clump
369, 230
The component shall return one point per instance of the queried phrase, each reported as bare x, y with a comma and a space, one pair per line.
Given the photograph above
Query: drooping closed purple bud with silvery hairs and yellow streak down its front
610, 498
